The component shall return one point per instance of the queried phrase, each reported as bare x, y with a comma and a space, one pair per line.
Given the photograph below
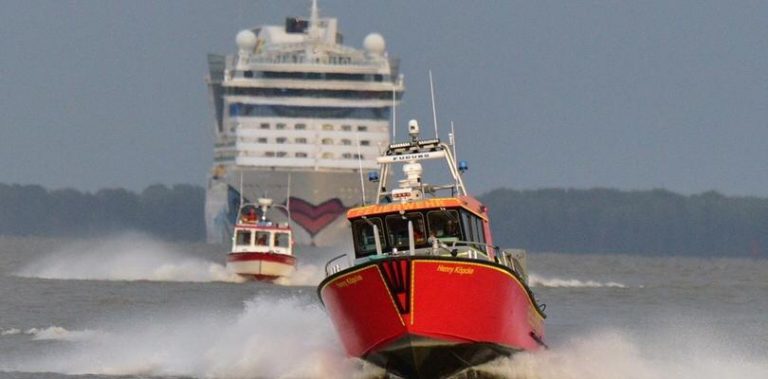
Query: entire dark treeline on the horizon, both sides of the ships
577, 221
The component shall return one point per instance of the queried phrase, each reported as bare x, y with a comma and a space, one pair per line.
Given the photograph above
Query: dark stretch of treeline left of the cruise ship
174, 213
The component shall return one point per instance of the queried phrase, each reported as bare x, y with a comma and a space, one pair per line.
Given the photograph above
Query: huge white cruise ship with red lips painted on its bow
298, 117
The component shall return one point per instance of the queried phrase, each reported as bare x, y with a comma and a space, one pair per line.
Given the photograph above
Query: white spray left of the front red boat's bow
270, 339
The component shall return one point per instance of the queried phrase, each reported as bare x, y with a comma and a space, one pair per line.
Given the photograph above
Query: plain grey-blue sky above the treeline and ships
577, 94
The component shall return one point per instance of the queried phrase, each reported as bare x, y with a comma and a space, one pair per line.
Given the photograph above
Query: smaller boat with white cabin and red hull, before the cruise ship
261, 249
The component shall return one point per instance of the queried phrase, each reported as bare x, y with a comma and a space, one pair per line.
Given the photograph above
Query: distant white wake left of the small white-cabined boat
126, 258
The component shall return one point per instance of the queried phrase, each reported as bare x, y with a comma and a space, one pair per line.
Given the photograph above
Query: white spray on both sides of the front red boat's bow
291, 339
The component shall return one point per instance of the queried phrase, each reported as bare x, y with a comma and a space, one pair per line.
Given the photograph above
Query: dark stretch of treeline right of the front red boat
612, 221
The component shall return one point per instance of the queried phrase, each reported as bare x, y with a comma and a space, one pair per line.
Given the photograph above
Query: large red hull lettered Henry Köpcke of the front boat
415, 315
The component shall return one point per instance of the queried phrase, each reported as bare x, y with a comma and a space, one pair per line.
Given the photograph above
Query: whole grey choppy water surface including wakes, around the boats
132, 307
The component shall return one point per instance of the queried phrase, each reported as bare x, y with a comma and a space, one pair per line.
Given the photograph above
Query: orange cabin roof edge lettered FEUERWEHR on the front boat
467, 202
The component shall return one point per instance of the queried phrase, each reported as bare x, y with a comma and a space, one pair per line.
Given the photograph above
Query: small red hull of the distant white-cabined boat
261, 266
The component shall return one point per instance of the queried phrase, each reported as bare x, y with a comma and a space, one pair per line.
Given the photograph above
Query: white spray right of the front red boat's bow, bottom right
615, 354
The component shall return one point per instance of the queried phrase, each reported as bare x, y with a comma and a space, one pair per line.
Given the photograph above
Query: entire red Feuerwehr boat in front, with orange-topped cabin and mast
428, 295
